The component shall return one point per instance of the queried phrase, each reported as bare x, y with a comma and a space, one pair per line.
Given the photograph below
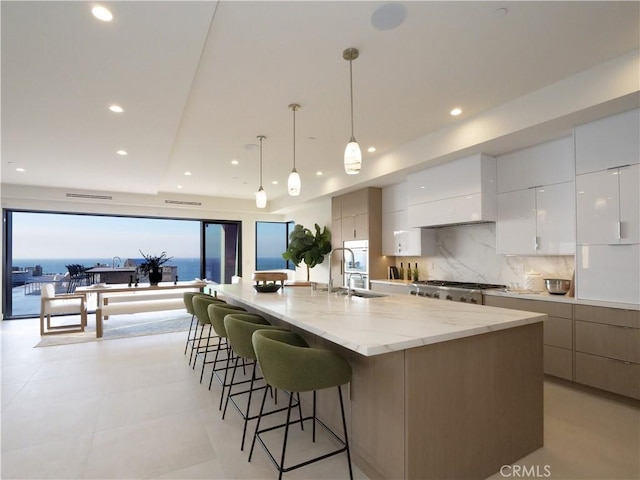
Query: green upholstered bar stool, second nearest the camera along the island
240, 328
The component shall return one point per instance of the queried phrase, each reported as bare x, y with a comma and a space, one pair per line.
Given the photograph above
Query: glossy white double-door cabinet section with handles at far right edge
608, 205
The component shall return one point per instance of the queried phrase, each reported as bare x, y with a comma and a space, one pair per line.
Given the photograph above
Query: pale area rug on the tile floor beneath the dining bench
123, 326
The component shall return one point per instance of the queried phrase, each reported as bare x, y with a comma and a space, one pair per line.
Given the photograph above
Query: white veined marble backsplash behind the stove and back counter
468, 253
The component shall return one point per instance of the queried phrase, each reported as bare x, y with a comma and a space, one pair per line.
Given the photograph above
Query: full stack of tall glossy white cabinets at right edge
607, 154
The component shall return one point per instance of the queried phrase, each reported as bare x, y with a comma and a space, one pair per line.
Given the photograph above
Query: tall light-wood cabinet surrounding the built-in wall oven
358, 216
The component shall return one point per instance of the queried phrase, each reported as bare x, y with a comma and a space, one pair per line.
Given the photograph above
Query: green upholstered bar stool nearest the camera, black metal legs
288, 363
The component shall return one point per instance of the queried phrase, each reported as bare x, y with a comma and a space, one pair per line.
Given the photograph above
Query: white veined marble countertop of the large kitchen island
373, 326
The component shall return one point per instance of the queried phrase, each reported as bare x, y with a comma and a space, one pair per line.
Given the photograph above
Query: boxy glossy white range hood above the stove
462, 191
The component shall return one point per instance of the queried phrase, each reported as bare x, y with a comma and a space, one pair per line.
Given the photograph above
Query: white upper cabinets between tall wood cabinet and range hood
397, 238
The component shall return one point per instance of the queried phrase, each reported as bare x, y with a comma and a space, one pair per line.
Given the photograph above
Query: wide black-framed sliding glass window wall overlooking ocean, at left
45, 247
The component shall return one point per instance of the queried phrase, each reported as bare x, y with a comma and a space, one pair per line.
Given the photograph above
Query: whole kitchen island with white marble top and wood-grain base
439, 389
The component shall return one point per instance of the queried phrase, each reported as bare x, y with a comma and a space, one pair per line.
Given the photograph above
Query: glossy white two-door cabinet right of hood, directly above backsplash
536, 221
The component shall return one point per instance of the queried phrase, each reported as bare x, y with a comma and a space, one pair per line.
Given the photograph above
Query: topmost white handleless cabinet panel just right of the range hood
543, 164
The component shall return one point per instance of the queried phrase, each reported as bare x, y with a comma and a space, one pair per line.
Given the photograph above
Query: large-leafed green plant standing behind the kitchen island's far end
306, 247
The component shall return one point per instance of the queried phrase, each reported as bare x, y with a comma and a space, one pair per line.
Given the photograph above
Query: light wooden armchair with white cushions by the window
52, 304
